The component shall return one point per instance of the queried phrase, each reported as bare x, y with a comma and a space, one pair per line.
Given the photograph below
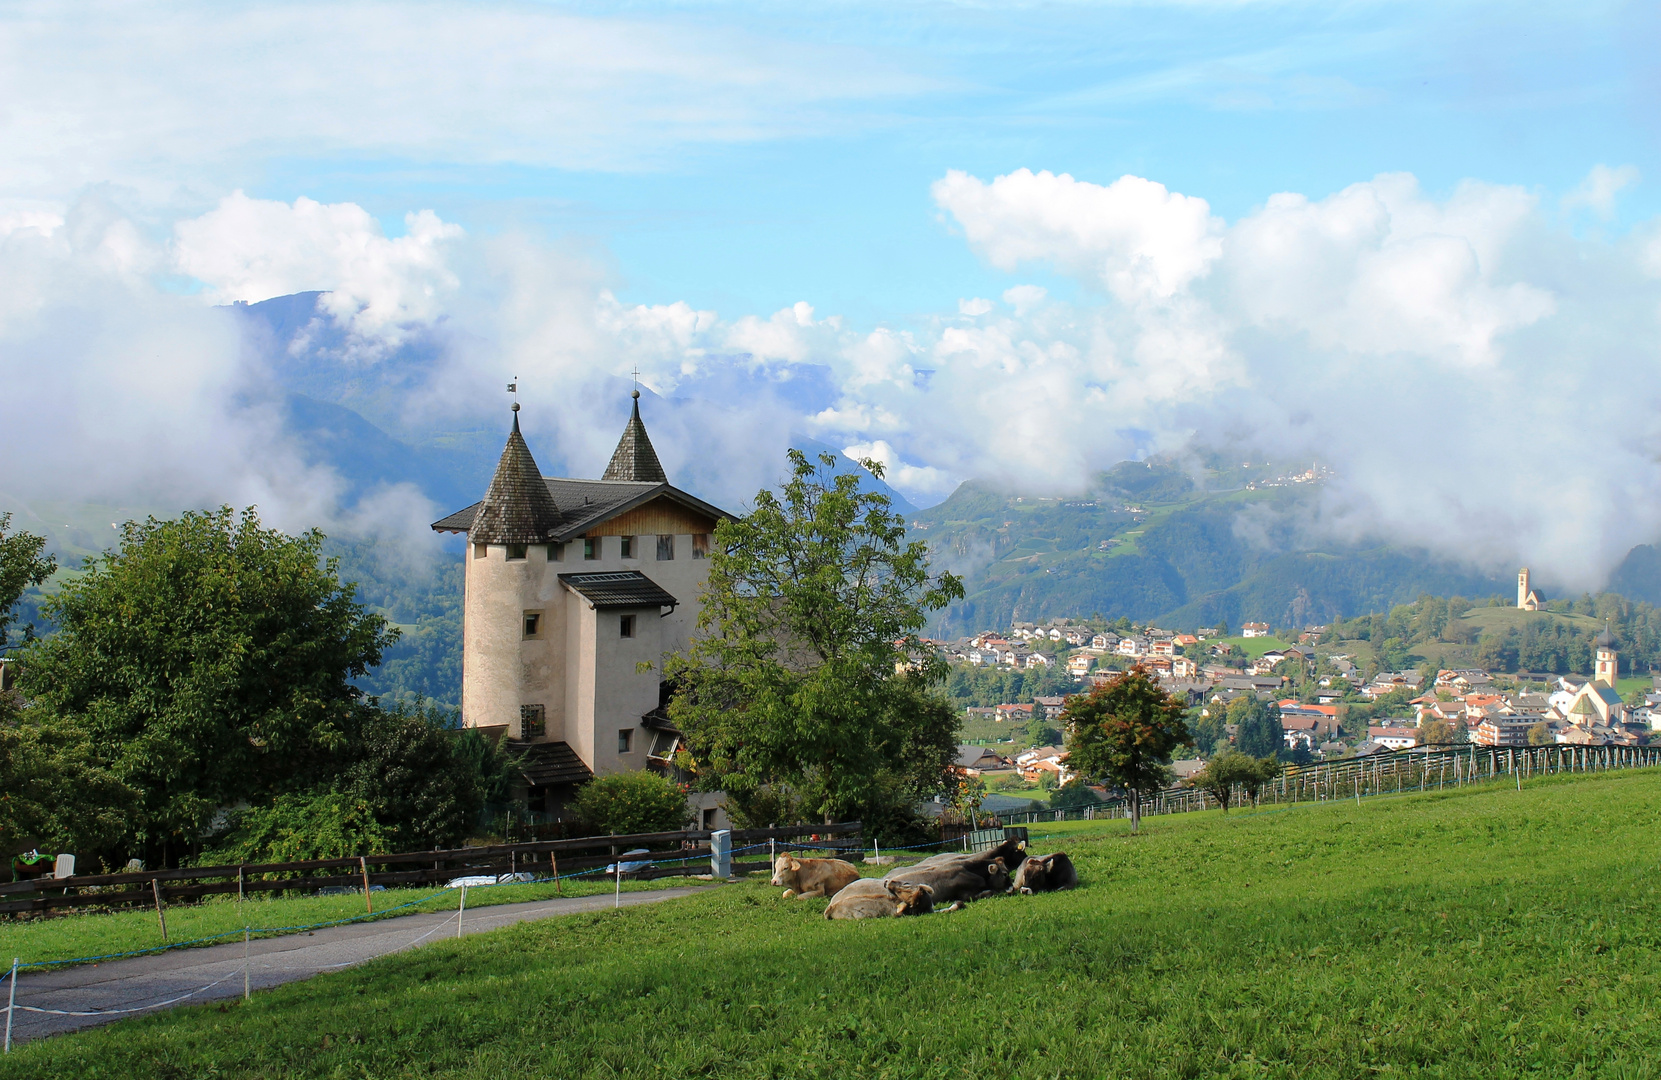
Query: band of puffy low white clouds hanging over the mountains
1482, 380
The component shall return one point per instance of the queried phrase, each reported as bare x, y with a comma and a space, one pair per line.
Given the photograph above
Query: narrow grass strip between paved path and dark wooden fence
102, 933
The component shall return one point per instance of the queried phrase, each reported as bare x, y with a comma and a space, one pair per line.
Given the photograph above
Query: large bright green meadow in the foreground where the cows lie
1479, 933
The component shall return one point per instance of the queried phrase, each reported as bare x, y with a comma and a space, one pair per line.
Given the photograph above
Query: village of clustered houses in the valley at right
1326, 702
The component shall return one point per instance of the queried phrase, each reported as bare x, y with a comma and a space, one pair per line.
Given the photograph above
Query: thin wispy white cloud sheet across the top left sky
207, 91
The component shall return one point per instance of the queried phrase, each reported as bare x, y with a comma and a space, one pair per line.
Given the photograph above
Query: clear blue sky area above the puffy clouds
1227, 102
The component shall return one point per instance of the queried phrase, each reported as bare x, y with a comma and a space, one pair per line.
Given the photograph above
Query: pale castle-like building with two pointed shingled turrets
576, 592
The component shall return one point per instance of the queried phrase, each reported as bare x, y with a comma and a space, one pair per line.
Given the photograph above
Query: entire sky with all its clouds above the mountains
1414, 240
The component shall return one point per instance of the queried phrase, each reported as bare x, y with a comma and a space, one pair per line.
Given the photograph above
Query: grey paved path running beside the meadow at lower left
140, 986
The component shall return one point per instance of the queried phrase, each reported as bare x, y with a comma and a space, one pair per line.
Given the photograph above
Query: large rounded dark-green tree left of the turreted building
210, 660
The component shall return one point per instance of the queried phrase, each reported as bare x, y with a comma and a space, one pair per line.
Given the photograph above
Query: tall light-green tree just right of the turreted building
806, 684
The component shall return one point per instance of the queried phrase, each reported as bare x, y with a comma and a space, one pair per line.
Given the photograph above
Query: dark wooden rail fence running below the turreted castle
569, 858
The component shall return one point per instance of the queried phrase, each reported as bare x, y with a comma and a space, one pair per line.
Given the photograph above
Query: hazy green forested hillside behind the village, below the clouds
1154, 542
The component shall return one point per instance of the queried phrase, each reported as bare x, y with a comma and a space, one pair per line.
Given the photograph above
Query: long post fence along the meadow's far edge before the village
1383, 773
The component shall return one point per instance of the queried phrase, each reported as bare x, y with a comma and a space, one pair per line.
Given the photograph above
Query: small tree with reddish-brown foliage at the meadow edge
1125, 732
